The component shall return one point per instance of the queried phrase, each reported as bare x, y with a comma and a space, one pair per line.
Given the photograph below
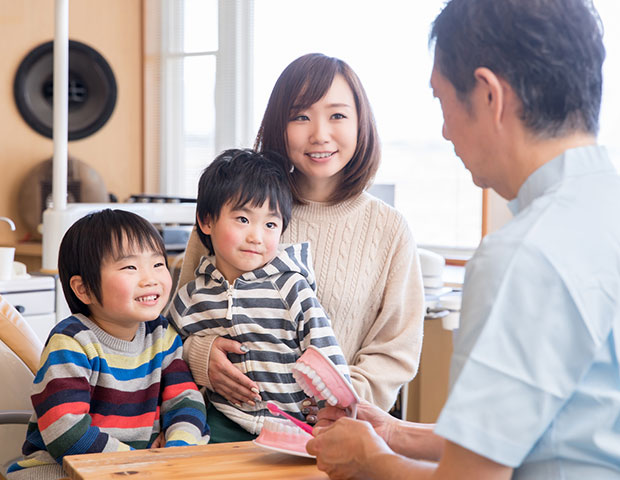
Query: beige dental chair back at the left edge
20, 352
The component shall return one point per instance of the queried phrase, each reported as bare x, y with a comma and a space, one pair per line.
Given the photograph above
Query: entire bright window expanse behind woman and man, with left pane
385, 42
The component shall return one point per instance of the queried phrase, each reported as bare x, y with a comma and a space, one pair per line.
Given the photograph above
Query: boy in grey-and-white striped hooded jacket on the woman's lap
251, 290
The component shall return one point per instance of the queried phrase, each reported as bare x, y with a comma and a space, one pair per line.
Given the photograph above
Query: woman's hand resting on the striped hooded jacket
225, 378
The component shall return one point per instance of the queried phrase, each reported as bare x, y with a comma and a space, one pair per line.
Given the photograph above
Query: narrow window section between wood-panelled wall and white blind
181, 47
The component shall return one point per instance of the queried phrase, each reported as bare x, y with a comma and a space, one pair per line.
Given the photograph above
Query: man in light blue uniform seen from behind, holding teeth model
535, 379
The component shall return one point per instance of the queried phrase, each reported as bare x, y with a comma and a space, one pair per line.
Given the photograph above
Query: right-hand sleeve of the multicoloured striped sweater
183, 412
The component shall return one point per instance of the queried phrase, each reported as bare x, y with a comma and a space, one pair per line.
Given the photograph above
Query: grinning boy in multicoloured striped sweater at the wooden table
112, 376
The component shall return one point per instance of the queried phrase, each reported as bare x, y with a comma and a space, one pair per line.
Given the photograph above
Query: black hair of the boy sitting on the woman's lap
241, 177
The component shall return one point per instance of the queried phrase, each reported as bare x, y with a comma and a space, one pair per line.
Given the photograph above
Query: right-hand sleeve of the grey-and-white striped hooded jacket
313, 326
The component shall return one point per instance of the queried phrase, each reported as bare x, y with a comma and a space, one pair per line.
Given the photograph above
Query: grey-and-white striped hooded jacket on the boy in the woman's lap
274, 312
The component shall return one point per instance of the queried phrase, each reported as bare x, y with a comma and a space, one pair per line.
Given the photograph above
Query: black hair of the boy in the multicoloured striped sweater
96, 237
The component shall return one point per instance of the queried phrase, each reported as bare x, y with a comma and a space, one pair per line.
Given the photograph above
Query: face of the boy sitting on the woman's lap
244, 238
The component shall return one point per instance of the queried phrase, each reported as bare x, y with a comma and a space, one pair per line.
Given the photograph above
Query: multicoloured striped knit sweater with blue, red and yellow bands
96, 393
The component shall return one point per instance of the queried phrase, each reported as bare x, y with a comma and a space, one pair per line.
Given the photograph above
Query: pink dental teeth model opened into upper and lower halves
319, 378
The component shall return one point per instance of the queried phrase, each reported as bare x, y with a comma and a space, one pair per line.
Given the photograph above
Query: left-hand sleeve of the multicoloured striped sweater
62, 398
